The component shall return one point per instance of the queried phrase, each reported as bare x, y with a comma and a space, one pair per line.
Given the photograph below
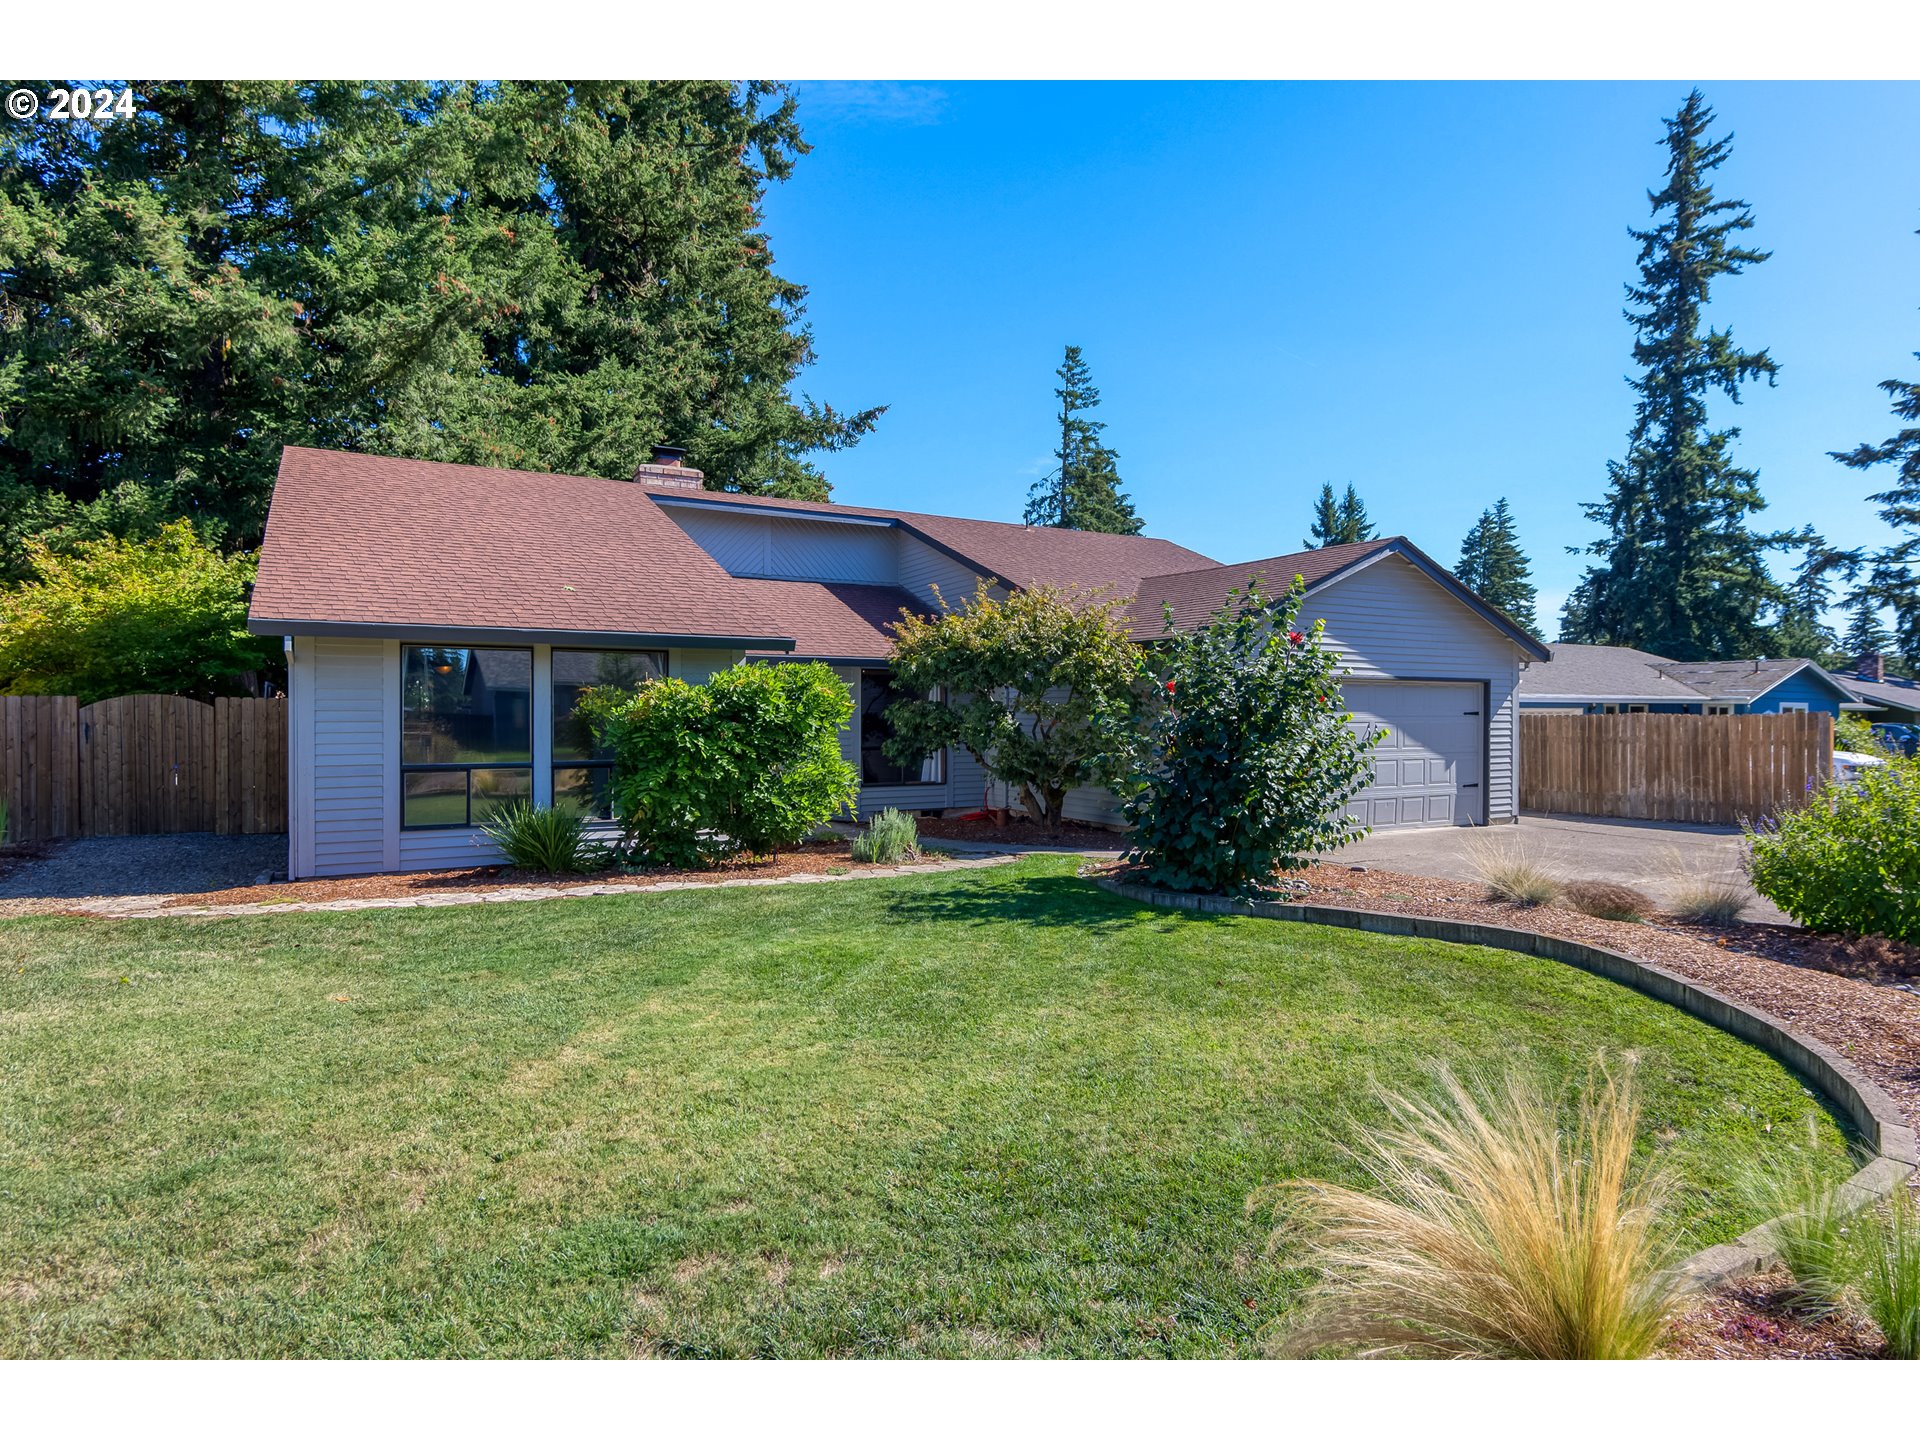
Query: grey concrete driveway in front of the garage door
1654, 857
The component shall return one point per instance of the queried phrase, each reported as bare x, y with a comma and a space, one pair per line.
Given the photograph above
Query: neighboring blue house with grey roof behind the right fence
1616, 679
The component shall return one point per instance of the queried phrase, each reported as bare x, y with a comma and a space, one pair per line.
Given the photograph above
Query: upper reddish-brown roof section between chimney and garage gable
1019, 554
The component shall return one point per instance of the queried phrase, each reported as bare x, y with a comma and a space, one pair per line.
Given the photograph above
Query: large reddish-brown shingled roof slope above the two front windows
364, 544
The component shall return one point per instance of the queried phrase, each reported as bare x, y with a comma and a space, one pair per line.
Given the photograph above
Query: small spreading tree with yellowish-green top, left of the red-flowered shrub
1044, 688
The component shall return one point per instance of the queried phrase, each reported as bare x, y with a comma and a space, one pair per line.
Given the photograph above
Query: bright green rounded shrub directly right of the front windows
748, 763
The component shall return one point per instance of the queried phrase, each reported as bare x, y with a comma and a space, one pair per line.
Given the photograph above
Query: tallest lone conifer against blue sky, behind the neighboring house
1681, 573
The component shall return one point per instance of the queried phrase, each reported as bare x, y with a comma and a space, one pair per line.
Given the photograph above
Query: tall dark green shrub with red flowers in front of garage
1249, 756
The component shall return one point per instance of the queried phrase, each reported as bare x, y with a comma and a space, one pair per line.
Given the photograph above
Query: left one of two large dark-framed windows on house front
466, 734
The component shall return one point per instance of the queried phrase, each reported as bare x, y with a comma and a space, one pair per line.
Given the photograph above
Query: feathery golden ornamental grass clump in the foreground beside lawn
1500, 1224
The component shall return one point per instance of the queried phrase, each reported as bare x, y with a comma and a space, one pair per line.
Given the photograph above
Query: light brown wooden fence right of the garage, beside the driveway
1708, 769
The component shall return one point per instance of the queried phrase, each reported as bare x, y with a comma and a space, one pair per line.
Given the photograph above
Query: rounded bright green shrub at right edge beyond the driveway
1850, 859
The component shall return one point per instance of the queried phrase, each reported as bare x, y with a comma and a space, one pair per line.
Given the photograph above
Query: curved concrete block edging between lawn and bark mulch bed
1865, 1105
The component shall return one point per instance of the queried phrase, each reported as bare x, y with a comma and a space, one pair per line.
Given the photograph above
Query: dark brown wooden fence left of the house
141, 765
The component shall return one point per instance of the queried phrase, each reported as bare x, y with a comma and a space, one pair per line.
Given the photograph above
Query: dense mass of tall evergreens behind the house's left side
544, 276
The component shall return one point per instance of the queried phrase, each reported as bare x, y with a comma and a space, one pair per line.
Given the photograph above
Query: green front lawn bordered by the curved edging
974, 1115
